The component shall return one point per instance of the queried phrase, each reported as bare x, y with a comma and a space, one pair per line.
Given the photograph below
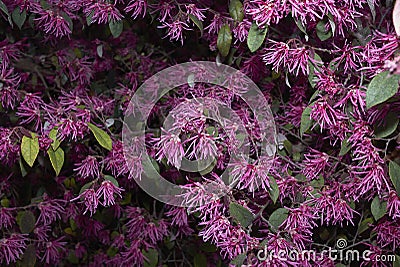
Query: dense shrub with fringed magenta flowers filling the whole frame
328, 70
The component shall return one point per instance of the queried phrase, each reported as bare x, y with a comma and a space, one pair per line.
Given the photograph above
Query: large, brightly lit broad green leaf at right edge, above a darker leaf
382, 87
